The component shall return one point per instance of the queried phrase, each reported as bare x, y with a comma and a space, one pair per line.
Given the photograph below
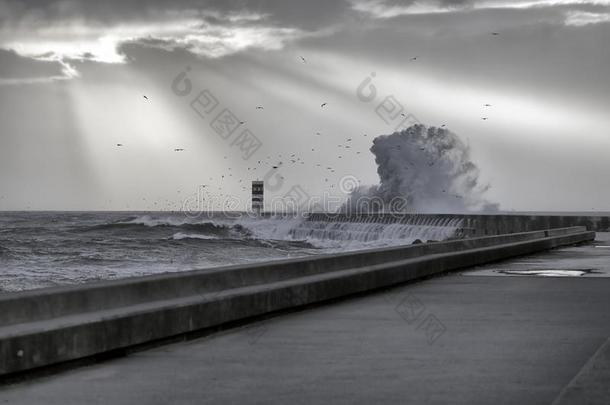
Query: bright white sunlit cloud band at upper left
206, 34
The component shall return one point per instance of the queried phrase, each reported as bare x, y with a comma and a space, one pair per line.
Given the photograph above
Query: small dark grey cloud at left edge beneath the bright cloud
16, 68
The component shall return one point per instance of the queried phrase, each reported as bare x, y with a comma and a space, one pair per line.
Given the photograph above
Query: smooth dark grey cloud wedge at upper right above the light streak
534, 53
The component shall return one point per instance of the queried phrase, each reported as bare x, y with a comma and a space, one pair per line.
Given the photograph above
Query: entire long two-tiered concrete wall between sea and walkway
49, 326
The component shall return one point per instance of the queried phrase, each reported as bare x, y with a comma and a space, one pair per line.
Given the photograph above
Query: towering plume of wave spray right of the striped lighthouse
422, 169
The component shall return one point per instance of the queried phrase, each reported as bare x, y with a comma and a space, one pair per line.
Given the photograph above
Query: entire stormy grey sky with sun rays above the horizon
73, 76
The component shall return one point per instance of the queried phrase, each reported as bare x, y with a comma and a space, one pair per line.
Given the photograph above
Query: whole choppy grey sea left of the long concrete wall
44, 249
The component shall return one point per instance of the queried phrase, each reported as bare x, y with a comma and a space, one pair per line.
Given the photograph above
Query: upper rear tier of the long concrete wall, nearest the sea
62, 301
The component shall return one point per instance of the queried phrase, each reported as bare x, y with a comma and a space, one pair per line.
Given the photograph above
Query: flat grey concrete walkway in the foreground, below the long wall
449, 340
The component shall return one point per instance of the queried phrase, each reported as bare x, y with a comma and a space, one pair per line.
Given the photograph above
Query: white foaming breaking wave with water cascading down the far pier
319, 231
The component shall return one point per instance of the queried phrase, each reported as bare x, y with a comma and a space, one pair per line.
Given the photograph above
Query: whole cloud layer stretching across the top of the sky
531, 50
